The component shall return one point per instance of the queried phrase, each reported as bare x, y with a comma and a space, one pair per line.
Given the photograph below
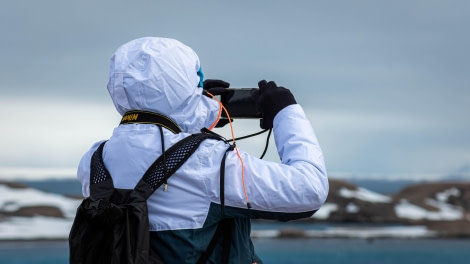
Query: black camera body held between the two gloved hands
240, 103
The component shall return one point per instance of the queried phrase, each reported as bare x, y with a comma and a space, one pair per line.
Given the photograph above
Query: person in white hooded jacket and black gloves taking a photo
164, 76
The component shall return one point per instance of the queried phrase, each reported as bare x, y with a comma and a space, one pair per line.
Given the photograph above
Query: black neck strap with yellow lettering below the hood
145, 117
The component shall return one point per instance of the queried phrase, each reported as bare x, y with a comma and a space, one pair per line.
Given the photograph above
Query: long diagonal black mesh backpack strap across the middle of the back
169, 163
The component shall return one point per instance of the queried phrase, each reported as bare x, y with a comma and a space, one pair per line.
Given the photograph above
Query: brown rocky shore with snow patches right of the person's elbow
442, 207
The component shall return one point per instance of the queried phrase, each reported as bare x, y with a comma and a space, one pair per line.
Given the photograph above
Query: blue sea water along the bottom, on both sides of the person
287, 251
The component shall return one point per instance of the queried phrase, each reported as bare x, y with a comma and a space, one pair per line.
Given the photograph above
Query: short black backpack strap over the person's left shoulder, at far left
101, 183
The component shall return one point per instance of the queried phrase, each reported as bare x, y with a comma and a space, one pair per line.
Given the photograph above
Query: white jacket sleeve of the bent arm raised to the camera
298, 184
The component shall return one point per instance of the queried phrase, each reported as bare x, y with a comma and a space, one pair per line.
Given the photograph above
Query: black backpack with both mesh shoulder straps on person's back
112, 226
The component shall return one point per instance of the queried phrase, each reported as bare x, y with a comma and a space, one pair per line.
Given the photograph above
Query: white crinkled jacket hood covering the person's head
161, 75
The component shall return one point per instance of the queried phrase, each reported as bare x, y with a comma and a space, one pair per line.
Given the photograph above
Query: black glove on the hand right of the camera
270, 100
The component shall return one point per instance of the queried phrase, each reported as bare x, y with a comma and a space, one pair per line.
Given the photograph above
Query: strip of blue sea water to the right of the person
361, 251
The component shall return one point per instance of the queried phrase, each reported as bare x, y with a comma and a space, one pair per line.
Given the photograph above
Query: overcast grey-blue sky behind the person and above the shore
386, 84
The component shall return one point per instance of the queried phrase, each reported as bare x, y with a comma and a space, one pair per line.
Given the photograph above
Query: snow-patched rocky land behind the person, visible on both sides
436, 209
